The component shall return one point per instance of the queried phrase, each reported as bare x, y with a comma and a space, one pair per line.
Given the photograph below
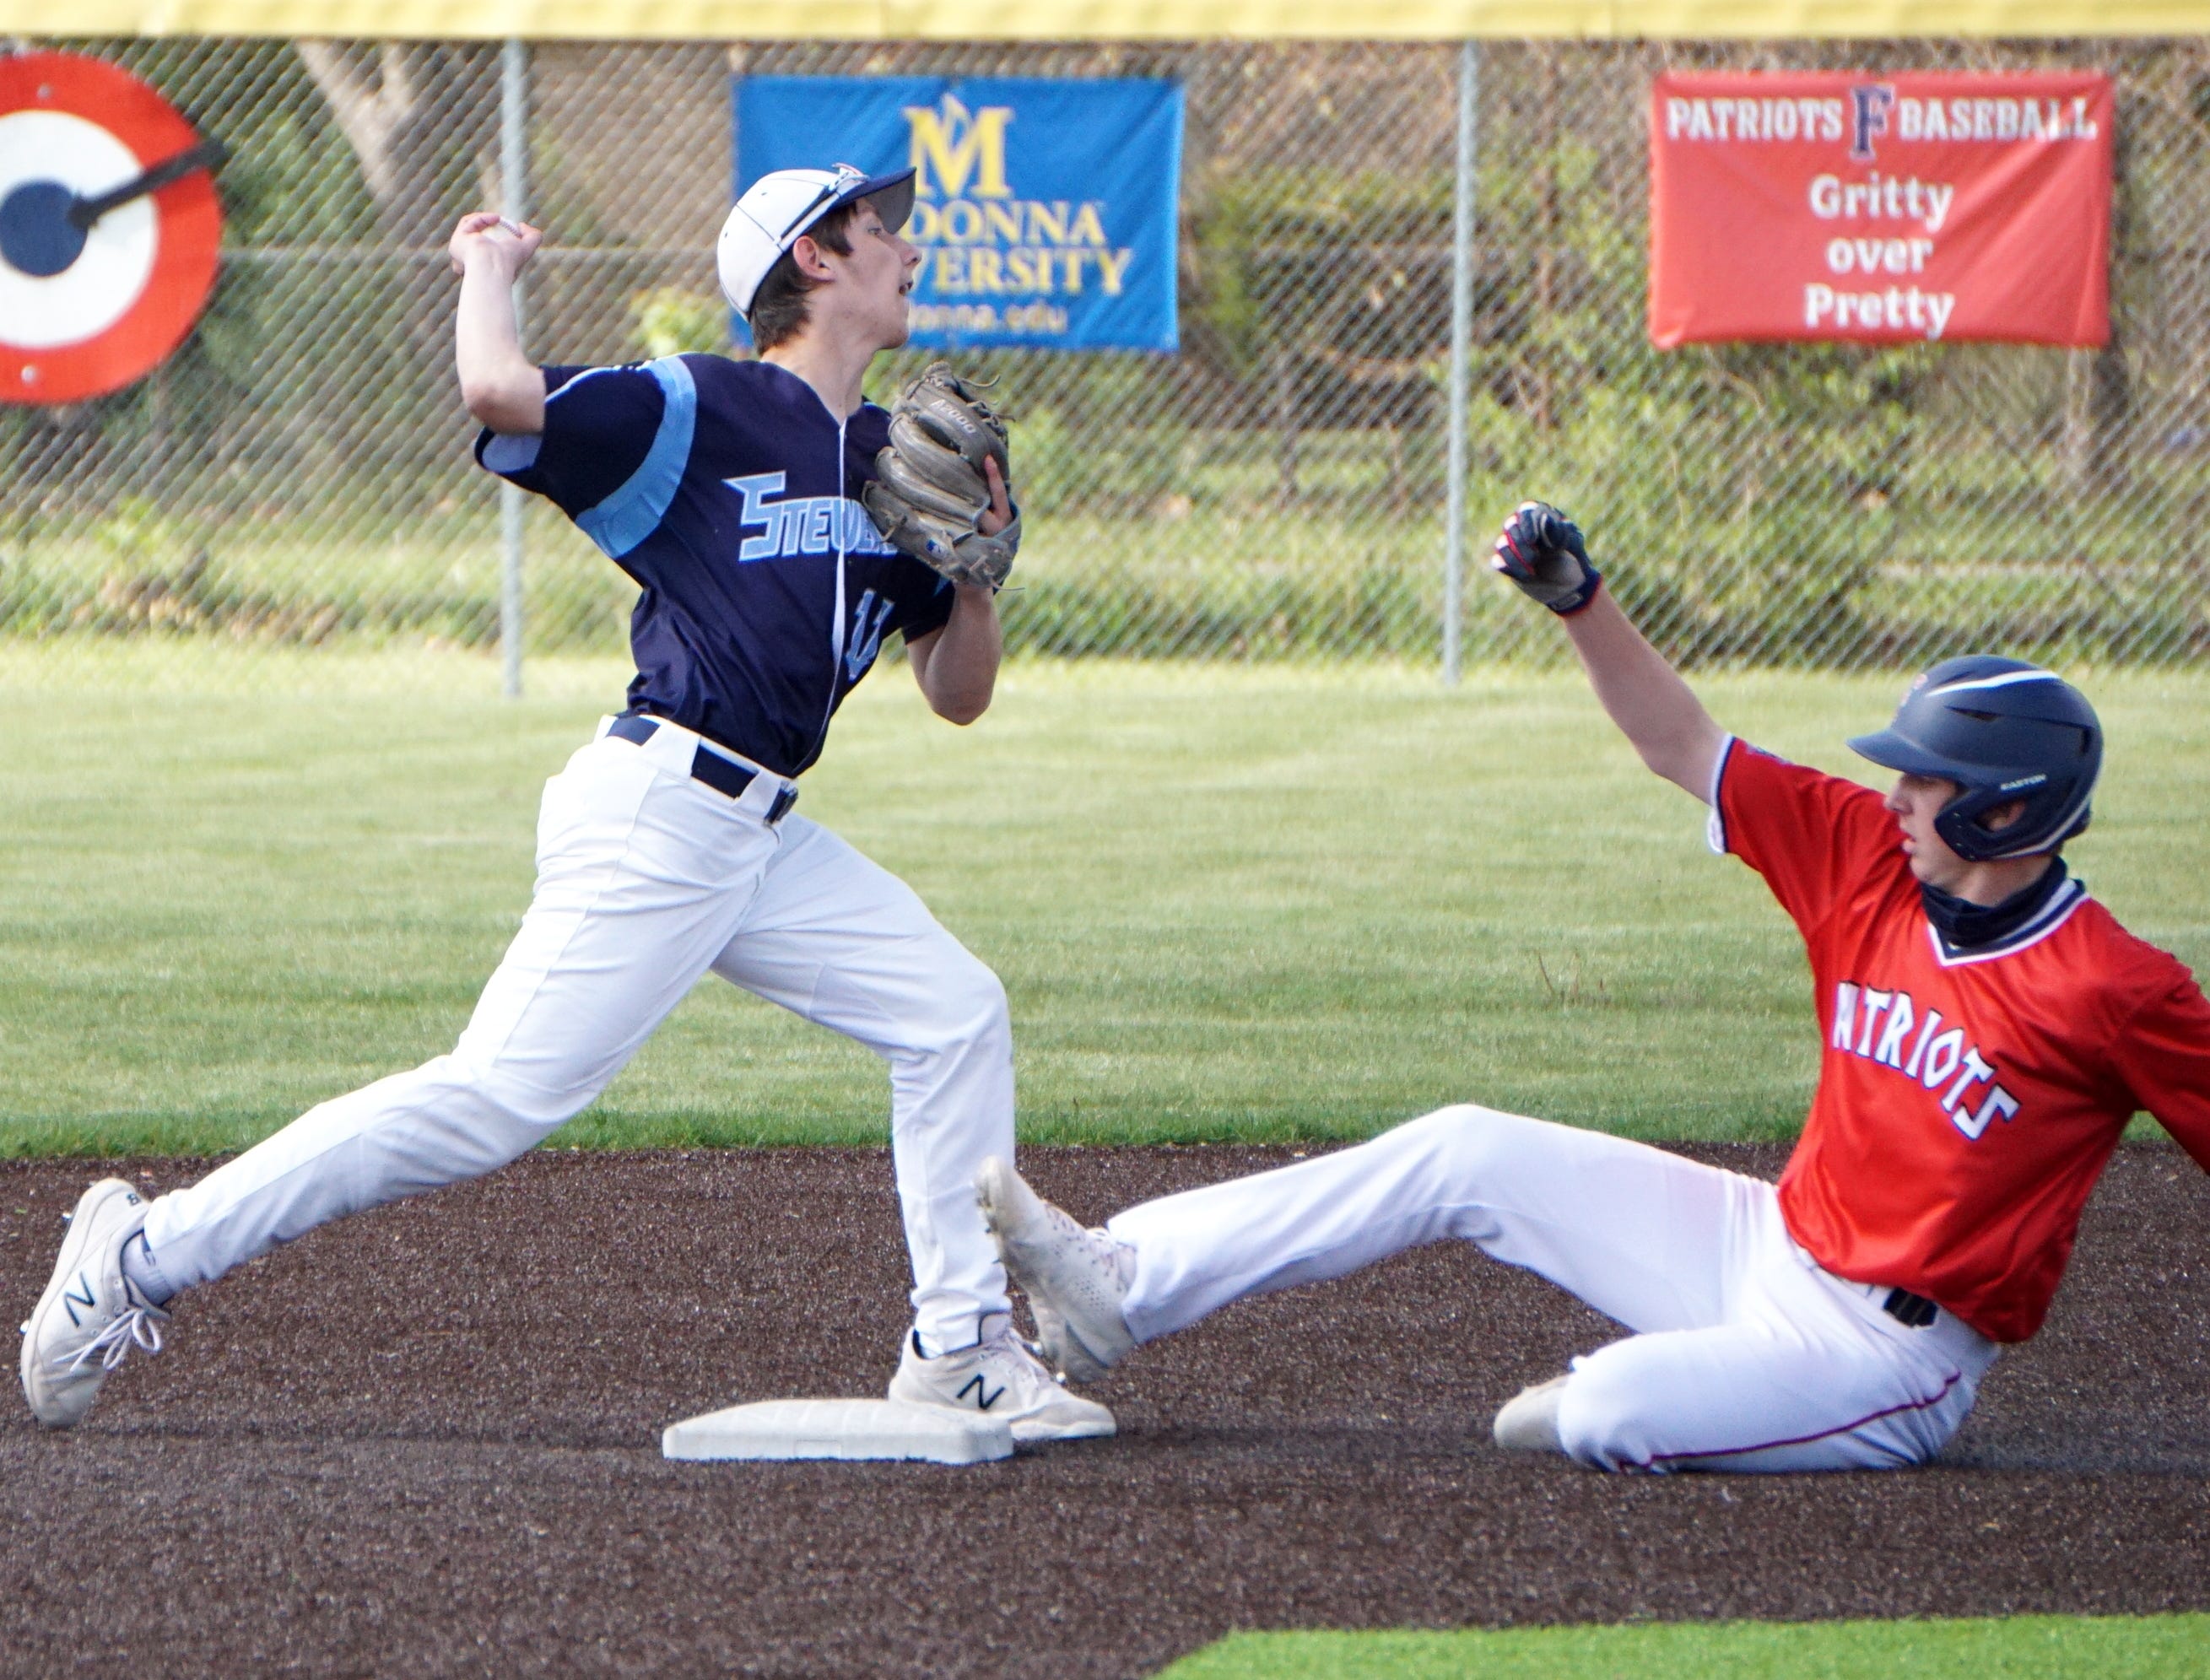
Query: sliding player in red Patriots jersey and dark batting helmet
1988, 1033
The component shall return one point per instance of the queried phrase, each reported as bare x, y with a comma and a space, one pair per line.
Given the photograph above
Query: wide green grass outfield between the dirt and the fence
1225, 903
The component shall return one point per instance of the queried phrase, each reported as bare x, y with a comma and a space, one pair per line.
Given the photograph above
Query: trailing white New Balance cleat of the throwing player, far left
90, 1316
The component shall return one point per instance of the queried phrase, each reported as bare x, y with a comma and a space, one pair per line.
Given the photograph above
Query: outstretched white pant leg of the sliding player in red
1639, 1235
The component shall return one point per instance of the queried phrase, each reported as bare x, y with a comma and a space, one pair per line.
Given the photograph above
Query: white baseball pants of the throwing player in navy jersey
646, 881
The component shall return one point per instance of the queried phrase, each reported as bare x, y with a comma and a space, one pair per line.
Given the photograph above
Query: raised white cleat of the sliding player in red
1075, 1277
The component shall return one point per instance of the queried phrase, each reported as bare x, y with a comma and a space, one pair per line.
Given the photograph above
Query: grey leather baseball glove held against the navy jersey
932, 485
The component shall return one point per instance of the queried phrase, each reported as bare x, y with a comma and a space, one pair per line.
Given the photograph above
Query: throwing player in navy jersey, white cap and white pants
671, 848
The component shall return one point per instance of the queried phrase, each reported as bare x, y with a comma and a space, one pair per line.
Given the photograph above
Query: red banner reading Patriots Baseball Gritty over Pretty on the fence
1882, 209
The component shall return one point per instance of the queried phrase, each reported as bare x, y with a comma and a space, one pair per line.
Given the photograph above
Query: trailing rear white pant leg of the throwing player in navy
640, 879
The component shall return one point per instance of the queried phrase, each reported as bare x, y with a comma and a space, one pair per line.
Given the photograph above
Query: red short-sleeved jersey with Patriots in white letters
1968, 1100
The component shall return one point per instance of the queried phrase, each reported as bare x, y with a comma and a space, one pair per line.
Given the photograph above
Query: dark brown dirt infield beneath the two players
428, 1442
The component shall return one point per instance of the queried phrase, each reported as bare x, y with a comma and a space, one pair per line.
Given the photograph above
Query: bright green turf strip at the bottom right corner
2019, 1648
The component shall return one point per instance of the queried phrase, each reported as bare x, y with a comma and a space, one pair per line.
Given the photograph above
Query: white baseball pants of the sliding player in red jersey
1745, 1354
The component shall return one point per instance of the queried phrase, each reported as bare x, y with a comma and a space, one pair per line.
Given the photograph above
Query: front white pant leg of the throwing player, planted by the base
841, 941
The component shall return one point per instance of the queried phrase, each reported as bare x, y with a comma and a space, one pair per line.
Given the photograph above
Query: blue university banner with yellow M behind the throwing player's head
1044, 211
